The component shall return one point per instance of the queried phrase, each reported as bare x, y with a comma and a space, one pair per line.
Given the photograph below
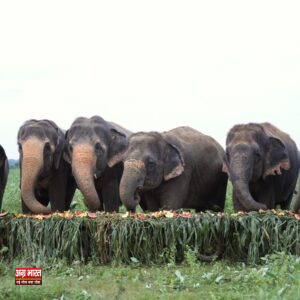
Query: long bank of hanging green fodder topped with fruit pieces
111, 238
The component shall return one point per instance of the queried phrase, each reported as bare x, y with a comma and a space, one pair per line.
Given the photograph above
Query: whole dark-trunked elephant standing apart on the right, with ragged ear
262, 163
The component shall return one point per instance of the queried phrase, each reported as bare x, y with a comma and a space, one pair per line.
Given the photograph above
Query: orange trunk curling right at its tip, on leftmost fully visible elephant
32, 162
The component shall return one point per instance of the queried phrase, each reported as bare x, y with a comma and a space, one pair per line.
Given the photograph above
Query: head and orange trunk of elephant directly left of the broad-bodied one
92, 145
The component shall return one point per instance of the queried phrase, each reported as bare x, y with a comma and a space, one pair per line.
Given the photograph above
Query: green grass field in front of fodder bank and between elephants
276, 276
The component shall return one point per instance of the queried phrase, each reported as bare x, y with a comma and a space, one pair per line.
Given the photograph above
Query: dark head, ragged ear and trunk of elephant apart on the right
252, 154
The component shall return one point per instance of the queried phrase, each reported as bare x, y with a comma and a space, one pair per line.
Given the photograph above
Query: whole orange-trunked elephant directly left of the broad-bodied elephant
92, 147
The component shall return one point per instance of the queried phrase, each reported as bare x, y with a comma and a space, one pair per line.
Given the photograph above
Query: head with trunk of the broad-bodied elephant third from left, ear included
150, 159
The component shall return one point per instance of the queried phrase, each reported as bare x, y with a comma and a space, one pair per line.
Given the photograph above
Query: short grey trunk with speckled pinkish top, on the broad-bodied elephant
132, 182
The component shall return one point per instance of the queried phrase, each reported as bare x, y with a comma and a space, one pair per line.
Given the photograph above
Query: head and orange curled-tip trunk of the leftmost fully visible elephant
41, 145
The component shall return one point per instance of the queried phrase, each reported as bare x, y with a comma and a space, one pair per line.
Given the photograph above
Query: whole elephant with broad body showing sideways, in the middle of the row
180, 168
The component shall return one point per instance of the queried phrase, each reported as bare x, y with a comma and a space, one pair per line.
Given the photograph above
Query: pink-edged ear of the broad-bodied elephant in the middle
173, 161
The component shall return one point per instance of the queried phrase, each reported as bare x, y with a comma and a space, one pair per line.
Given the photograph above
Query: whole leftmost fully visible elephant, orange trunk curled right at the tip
45, 175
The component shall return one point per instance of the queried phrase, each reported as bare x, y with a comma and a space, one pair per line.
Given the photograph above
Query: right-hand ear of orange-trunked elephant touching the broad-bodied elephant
117, 147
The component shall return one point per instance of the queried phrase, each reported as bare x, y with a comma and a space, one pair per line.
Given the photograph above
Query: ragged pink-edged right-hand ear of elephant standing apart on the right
276, 157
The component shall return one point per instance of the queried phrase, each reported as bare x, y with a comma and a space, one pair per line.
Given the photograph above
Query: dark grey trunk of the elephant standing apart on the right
240, 175
